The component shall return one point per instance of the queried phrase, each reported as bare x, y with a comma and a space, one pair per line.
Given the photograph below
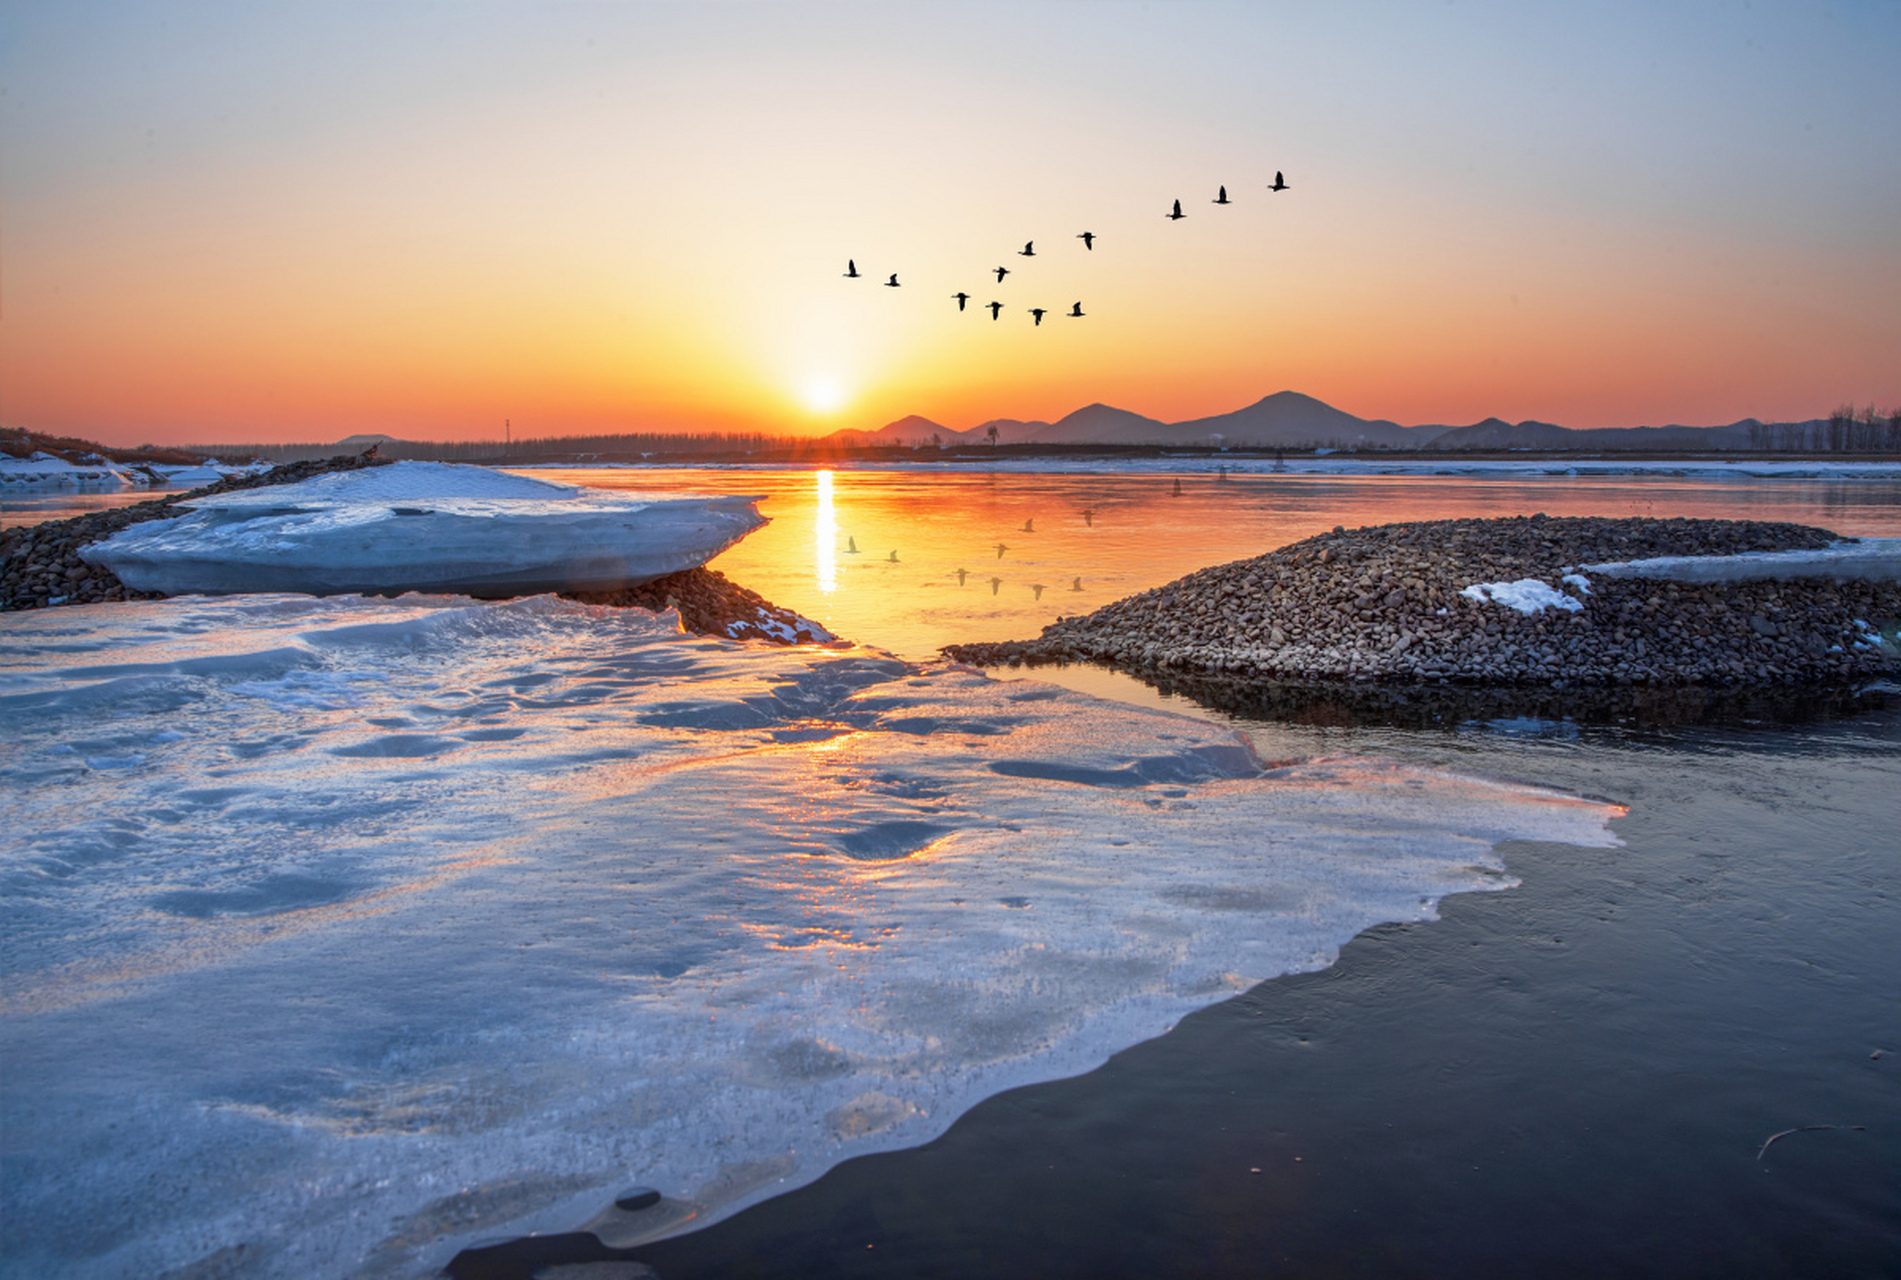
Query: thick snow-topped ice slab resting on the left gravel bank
425, 528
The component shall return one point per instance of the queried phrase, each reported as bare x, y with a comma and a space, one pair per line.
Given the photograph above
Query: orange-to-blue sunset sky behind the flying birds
299, 222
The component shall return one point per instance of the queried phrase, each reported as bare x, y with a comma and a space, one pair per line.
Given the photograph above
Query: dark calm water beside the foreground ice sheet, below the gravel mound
1567, 1079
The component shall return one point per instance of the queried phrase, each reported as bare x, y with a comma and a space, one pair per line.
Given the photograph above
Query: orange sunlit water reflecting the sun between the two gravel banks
1138, 532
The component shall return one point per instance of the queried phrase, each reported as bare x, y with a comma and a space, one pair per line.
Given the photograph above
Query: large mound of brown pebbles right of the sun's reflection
1387, 604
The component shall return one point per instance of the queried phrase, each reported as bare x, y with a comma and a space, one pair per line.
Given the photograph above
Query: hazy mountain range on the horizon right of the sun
1296, 421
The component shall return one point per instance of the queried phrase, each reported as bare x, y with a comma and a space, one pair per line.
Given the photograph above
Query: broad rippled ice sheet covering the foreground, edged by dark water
349, 933
